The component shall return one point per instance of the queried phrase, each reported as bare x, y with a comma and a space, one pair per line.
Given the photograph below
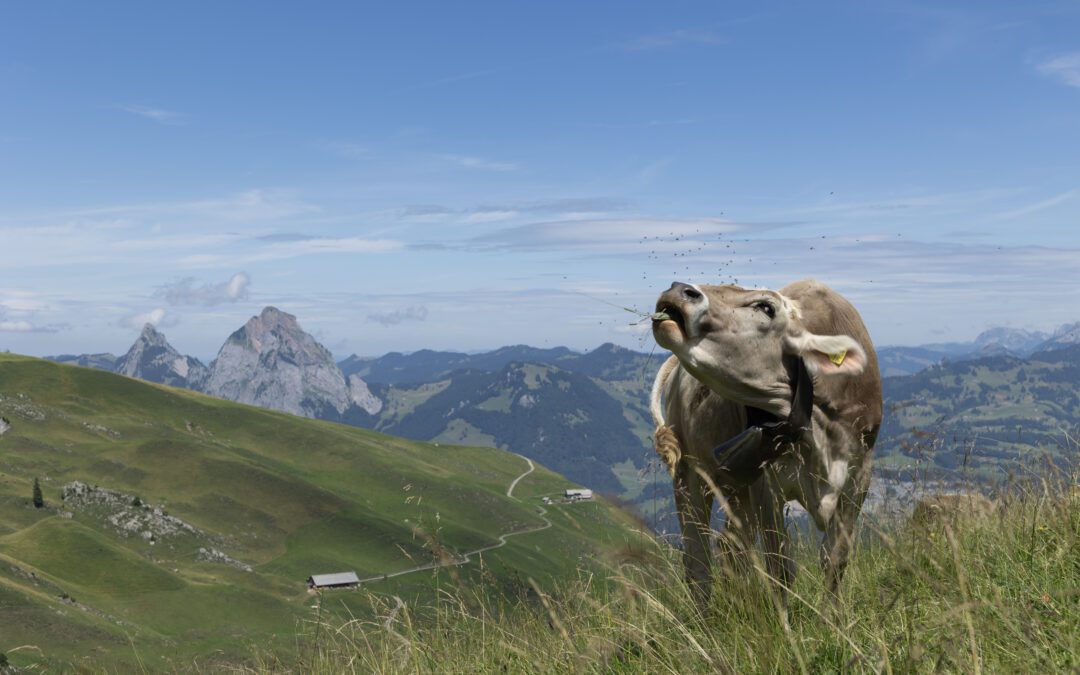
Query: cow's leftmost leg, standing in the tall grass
694, 503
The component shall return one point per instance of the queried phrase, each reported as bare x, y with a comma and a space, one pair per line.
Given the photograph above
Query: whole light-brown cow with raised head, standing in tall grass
768, 397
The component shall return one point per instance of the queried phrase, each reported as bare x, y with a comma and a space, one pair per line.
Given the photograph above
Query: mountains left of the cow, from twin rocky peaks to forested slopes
583, 415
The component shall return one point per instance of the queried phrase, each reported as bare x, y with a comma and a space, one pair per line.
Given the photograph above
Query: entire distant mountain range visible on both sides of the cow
585, 415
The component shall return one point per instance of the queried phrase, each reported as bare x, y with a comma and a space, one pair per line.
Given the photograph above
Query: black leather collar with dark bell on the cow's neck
741, 460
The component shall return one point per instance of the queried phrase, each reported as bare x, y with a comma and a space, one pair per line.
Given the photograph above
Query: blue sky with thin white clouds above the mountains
471, 175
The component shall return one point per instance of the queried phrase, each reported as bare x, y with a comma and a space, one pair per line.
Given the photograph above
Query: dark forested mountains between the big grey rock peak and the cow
584, 415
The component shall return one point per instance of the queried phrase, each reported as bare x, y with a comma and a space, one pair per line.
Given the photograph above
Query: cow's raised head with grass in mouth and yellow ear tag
740, 343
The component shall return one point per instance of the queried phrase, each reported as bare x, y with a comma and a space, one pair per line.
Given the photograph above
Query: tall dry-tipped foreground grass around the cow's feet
977, 595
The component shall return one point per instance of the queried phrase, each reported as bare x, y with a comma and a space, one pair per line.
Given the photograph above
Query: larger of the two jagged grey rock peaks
274, 363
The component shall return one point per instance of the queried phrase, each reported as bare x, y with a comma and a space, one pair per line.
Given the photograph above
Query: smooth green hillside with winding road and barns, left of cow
195, 491
